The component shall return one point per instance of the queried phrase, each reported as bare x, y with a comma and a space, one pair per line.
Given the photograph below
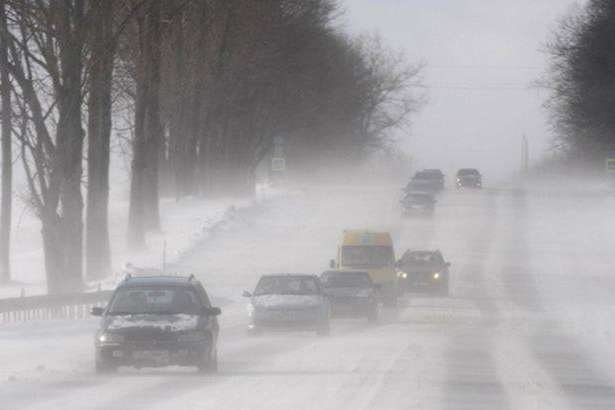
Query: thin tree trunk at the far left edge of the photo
7, 157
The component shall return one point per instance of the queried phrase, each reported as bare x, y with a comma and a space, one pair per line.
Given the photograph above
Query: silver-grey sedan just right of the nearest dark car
288, 301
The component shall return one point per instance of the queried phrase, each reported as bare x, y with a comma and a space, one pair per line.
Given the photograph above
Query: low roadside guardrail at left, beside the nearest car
72, 305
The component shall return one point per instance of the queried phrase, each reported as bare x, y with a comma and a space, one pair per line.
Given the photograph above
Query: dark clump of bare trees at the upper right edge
581, 80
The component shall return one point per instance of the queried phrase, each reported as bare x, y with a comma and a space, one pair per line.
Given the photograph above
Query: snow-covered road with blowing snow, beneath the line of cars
529, 323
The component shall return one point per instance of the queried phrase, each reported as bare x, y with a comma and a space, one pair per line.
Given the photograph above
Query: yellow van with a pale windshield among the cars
371, 252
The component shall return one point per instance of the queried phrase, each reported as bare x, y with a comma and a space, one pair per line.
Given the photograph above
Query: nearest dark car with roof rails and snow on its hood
157, 321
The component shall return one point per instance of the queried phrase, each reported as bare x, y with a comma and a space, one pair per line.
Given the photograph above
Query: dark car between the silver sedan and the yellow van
351, 294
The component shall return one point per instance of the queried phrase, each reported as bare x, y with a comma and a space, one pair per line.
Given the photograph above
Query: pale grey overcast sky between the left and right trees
481, 56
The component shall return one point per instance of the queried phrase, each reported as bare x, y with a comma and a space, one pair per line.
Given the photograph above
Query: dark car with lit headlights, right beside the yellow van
423, 271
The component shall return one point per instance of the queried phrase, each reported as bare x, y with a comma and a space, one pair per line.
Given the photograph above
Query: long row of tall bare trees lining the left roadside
208, 85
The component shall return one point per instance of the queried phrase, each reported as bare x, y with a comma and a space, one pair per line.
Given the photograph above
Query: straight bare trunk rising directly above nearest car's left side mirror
98, 252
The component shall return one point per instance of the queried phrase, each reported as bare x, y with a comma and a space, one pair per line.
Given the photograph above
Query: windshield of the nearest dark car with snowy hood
154, 300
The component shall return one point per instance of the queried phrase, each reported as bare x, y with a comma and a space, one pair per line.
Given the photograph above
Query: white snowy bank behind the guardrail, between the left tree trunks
184, 223
